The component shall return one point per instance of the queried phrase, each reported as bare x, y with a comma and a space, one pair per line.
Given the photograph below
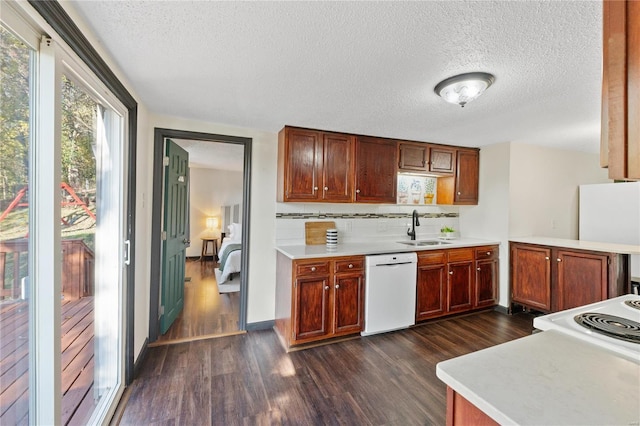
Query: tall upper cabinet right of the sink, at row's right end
463, 187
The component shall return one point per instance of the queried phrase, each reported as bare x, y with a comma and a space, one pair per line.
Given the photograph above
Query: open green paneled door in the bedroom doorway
176, 186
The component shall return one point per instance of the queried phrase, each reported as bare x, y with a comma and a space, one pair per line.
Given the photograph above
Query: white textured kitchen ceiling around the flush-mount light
365, 67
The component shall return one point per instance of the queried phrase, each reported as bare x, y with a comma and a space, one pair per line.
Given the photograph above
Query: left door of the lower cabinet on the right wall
531, 276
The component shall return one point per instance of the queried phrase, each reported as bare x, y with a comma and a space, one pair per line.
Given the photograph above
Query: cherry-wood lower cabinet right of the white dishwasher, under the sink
456, 280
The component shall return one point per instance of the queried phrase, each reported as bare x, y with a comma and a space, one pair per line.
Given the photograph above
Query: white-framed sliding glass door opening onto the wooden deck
63, 247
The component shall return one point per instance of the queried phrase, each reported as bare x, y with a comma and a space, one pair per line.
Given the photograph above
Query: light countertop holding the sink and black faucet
378, 247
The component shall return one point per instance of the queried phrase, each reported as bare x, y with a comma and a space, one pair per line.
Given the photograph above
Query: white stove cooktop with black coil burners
564, 322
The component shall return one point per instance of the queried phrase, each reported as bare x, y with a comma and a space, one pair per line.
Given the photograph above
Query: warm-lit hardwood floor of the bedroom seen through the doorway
206, 313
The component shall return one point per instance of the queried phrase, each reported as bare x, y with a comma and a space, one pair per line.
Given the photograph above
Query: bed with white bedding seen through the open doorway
230, 261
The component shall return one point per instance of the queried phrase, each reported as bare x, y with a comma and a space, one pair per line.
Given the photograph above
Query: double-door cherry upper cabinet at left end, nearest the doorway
314, 166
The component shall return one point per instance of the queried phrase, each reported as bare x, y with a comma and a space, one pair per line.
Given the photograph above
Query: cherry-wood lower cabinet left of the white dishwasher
318, 299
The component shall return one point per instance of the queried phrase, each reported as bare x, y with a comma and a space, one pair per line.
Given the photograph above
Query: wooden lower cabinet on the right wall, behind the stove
551, 279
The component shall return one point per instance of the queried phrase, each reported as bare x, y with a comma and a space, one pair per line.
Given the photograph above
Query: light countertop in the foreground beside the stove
547, 378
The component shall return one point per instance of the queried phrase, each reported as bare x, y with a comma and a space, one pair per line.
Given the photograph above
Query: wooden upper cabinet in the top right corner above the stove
620, 137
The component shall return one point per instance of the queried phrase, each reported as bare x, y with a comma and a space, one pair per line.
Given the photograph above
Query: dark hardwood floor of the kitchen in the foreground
386, 379
